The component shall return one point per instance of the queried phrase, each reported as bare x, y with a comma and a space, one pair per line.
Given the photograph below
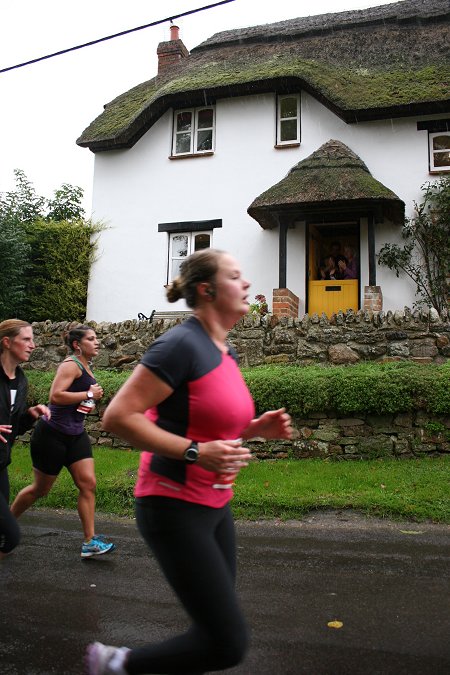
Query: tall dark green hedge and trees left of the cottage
47, 248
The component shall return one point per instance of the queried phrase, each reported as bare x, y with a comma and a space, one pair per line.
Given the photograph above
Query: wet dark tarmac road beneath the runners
388, 583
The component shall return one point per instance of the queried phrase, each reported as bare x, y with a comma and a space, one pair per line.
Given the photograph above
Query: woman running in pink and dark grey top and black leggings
186, 406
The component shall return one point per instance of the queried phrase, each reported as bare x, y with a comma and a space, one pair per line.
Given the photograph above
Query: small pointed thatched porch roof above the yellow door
332, 178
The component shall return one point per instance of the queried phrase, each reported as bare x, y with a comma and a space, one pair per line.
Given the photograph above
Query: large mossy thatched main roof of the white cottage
387, 61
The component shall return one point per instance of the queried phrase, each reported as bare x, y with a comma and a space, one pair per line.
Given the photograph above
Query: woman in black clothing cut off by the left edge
16, 346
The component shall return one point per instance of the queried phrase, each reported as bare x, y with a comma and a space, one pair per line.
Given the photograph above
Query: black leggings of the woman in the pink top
195, 547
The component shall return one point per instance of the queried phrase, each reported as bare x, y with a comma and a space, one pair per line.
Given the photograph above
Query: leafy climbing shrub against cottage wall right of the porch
425, 255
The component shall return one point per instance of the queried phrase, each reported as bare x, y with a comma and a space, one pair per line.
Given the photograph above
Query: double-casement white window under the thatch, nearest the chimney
193, 131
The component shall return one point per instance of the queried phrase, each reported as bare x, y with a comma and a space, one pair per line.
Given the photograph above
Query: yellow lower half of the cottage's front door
331, 296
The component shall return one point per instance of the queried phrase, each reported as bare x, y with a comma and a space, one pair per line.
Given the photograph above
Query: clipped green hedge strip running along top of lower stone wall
371, 388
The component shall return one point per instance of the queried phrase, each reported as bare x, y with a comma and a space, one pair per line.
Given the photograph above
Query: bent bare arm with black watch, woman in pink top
125, 417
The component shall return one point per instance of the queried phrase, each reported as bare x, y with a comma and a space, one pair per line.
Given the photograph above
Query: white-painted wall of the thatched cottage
136, 189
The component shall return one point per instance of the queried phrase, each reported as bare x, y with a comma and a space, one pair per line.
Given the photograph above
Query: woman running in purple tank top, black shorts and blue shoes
61, 440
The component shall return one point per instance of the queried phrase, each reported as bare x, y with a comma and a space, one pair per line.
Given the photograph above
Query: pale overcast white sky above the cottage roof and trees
45, 106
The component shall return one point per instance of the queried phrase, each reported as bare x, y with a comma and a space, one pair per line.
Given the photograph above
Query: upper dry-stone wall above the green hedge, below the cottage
348, 337
